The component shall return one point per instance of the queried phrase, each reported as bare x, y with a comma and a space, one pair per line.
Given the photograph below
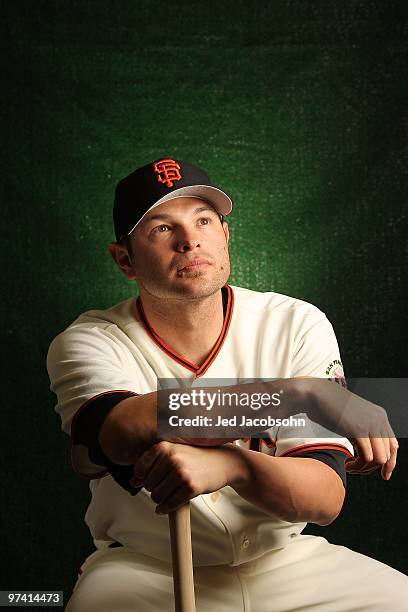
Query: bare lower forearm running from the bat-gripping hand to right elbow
293, 489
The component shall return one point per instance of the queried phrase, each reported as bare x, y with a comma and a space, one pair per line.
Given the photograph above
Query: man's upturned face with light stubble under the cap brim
180, 250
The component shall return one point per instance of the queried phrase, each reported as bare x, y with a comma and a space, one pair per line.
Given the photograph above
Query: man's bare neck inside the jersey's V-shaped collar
189, 327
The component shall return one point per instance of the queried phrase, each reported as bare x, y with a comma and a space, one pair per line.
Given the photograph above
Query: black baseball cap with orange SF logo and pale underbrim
158, 182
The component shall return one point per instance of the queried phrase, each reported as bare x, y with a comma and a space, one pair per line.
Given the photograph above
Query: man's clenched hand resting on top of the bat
175, 473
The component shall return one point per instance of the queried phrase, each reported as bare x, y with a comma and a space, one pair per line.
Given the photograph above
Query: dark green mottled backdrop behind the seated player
297, 108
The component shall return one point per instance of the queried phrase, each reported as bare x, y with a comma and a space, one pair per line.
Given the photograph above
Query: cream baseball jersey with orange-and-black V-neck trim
104, 353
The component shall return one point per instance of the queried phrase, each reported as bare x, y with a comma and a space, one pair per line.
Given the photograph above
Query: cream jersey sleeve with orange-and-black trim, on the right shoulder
315, 354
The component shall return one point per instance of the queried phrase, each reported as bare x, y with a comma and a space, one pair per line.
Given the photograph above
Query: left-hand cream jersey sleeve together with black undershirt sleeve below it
90, 372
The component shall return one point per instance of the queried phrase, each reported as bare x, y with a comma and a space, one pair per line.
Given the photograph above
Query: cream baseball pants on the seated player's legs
310, 574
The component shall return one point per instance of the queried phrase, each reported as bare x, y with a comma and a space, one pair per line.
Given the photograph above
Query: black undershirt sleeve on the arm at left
86, 431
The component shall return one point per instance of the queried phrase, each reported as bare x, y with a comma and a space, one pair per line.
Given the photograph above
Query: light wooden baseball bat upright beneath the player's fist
181, 554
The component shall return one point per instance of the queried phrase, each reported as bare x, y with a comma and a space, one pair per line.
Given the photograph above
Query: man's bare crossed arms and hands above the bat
291, 488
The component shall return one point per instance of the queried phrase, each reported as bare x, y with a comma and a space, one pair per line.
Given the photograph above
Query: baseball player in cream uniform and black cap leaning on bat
250, 499
